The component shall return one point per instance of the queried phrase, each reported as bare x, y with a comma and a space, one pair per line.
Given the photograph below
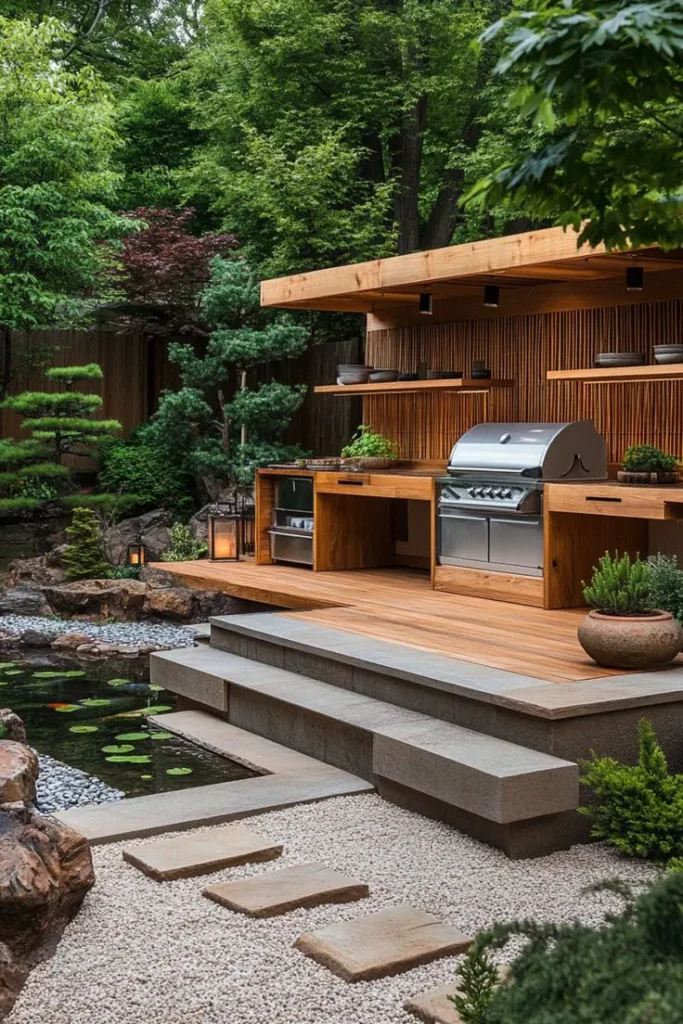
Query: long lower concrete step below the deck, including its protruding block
491, 788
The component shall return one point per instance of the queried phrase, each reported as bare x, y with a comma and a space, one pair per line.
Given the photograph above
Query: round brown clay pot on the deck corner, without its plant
631, 642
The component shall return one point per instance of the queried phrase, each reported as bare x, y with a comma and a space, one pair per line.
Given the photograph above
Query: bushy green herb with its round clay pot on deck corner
623, 630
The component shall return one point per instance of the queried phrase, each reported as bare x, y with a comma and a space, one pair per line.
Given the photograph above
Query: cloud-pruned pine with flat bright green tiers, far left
61, 423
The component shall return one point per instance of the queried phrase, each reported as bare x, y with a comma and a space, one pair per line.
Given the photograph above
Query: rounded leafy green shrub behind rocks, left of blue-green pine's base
145, 471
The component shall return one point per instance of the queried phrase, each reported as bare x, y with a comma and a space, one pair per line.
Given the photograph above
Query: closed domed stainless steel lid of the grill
537, 451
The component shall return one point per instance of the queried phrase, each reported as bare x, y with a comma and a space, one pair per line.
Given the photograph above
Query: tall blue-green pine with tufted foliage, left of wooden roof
224, 449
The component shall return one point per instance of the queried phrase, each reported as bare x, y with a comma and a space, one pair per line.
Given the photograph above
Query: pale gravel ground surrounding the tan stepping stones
159, 953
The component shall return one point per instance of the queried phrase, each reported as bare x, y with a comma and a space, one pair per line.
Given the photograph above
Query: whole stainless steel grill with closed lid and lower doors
491, 505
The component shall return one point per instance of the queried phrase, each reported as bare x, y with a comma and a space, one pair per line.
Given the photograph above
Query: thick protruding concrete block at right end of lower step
491, 778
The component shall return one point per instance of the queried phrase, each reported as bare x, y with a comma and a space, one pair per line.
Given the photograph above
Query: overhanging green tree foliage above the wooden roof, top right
606, 80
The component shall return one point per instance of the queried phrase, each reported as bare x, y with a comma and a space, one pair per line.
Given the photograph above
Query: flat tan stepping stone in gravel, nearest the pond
186, 857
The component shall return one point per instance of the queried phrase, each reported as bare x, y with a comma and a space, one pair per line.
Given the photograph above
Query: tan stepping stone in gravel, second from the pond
287, 889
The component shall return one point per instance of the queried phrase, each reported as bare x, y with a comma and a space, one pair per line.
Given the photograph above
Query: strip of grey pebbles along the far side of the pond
137, 634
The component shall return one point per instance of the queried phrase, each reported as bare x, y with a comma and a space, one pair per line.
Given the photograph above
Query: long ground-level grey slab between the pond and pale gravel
207, 805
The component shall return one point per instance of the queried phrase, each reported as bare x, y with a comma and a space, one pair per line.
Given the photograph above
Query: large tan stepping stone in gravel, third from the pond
383, 944
